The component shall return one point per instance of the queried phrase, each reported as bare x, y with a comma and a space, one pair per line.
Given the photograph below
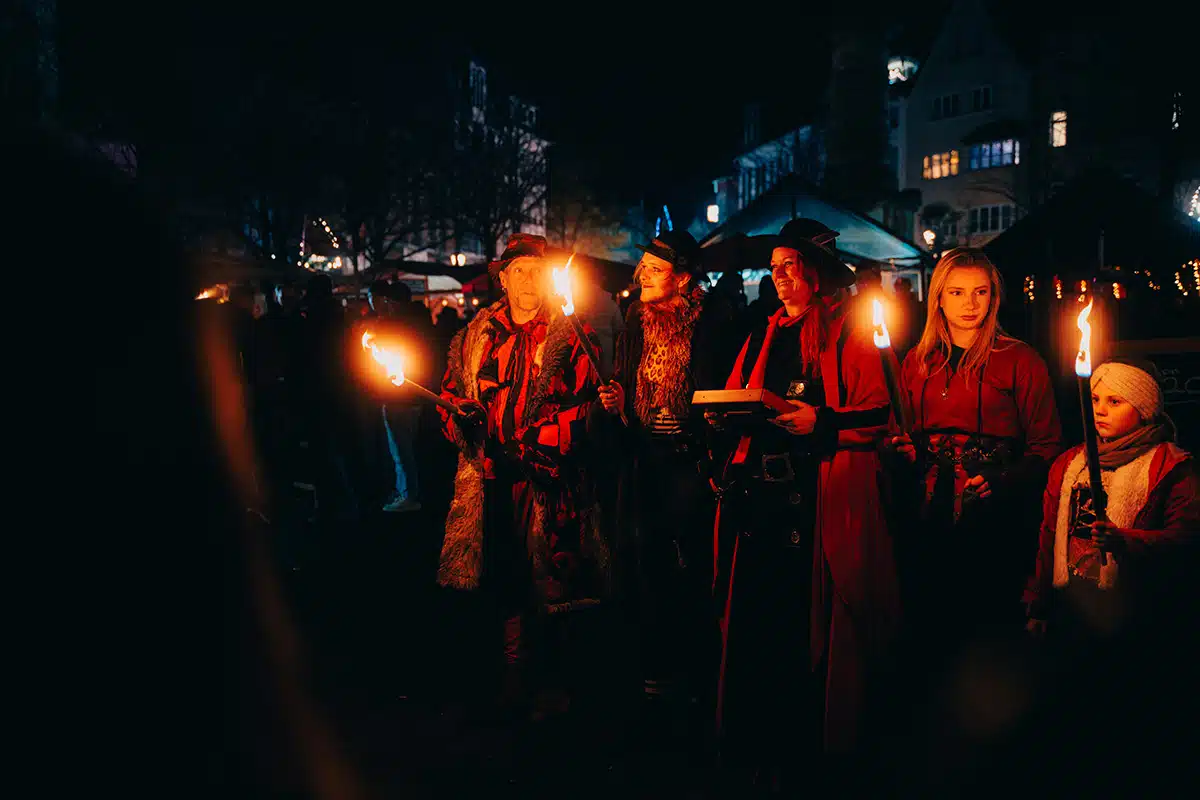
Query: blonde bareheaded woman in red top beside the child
986, 431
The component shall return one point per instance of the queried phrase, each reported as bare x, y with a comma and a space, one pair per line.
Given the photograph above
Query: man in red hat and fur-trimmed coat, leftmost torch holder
521, 527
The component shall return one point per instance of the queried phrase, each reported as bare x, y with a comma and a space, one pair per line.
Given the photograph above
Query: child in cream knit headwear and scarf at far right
1154, 503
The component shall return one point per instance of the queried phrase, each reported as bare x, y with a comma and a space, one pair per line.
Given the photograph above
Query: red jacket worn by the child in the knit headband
1169, 521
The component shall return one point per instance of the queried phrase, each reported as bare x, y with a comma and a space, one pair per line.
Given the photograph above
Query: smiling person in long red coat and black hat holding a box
805, 562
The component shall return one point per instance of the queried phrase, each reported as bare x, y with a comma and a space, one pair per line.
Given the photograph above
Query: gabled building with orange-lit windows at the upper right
1001, 117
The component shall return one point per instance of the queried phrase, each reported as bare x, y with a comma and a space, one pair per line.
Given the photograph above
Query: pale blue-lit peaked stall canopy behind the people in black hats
860, 237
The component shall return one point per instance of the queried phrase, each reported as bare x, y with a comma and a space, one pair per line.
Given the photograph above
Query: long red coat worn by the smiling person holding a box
856, 601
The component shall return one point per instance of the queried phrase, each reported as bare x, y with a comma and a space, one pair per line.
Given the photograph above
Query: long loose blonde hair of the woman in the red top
935, 340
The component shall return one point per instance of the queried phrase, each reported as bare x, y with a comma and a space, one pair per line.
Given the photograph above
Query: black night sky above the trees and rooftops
650, 105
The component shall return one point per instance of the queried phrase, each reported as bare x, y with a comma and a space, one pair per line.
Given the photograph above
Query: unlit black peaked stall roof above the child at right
1064, 236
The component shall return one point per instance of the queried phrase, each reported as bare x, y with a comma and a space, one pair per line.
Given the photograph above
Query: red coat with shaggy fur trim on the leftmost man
535, 382
